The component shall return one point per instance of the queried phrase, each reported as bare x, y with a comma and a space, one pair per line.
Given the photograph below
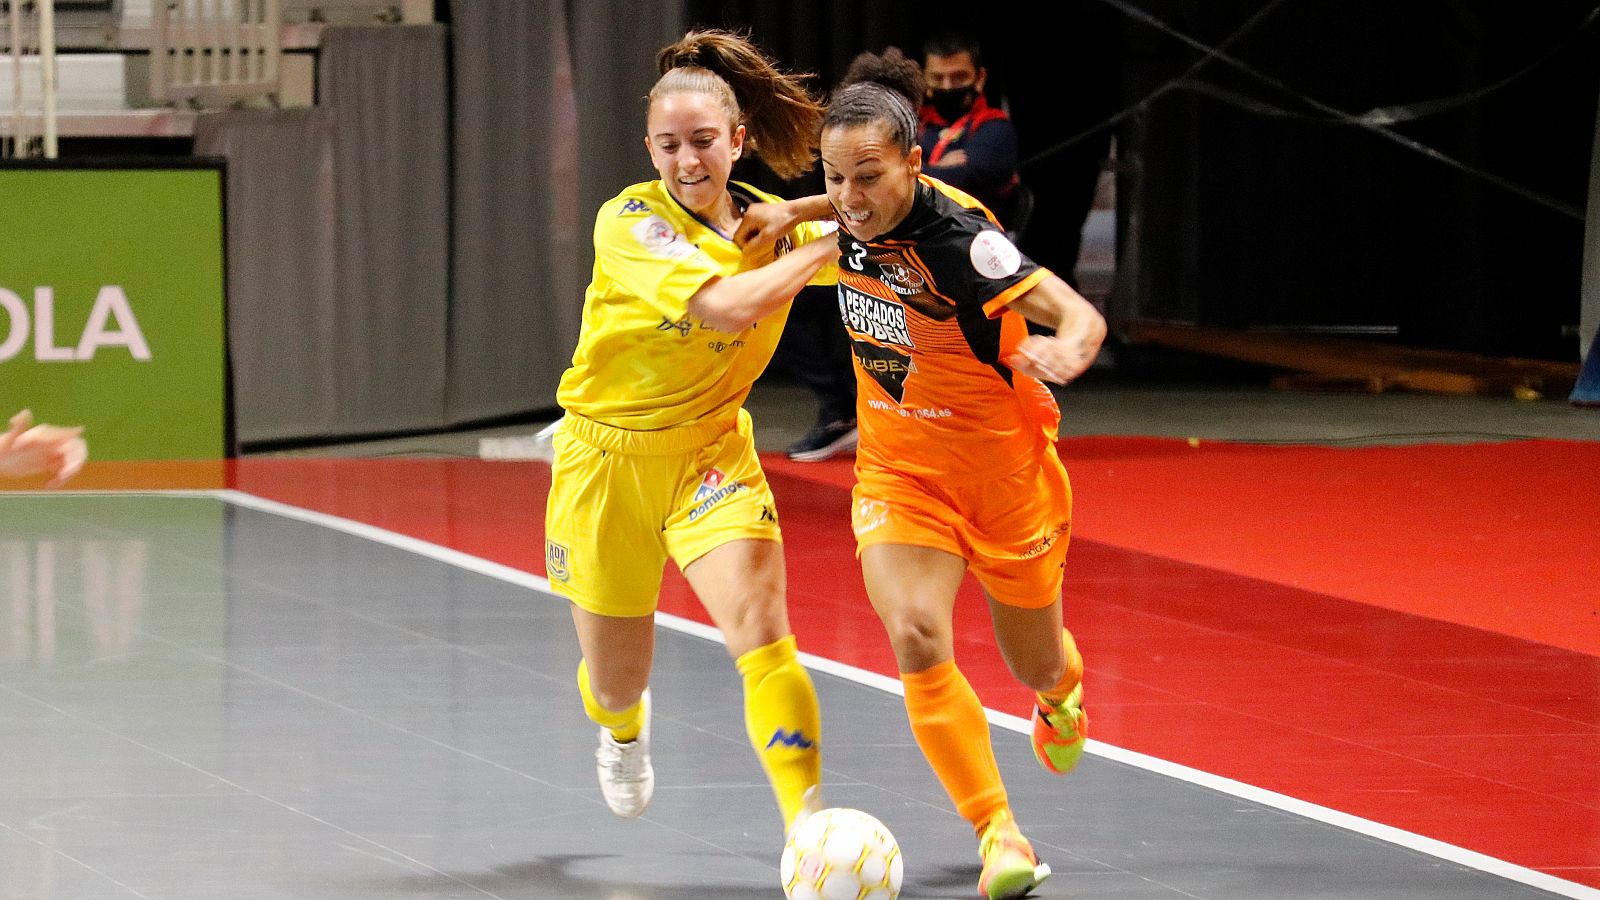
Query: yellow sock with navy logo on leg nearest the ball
783, 721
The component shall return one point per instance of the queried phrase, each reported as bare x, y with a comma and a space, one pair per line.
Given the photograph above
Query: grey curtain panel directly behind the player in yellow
550, 124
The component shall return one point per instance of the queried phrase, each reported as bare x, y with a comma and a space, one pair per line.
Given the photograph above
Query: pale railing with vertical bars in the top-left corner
30, 55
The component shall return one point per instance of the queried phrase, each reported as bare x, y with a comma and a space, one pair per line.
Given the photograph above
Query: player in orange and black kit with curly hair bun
958, 464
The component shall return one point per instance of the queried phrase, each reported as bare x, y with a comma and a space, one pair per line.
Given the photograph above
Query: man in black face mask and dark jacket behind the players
966, 142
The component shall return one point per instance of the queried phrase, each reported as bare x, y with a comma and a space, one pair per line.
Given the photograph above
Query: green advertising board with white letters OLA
113, 305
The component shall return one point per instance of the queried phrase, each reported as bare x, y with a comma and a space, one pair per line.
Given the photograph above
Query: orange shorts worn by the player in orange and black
1014, 531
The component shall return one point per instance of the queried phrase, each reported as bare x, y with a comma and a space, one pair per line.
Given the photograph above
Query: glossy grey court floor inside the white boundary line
210, 697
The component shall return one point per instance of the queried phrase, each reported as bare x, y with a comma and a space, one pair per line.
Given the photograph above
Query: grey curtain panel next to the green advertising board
338, 244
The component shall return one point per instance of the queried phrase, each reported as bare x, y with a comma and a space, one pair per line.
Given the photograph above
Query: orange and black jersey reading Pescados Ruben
926, 308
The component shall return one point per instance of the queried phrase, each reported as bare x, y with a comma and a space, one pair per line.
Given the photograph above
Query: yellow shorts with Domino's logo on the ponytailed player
623, 502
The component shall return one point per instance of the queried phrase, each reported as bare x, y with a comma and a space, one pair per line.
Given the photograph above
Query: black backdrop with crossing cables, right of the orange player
1252, 209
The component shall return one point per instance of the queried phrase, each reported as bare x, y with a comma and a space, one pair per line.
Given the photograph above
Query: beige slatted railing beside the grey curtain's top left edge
217, 52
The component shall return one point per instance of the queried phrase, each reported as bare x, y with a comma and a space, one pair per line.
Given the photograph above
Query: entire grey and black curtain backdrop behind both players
412, 254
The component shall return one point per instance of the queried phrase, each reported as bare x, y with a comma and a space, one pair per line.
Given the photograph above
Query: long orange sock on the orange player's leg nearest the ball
954, 736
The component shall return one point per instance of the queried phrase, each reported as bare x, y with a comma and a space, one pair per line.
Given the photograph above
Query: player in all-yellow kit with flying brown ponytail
655, 456
